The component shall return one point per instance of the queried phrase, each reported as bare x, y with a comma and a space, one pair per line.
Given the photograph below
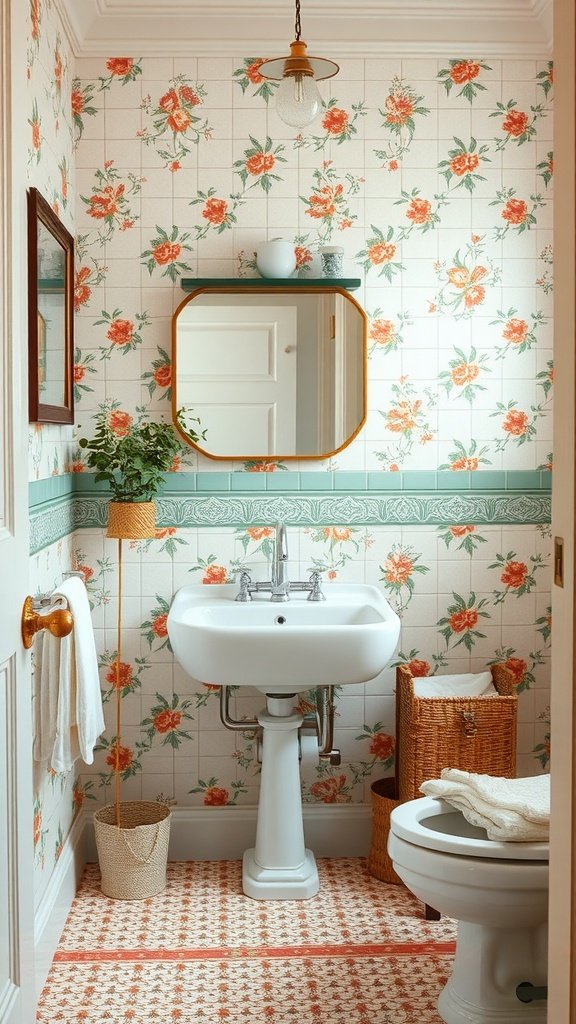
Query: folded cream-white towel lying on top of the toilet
510, 809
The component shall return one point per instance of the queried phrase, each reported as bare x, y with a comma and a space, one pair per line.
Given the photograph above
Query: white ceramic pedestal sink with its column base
282, 651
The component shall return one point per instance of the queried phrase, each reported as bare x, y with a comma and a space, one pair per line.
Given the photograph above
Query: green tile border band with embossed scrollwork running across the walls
58, 509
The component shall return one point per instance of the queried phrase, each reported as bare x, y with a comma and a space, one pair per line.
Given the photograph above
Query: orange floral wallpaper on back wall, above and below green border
436, 177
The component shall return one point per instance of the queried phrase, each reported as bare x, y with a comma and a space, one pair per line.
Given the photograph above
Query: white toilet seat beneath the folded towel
437, 826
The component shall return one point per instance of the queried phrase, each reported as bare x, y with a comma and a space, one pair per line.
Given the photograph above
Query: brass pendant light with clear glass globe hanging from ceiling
298, 100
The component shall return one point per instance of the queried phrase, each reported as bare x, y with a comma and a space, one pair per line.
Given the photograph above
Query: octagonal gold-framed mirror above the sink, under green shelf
269, 372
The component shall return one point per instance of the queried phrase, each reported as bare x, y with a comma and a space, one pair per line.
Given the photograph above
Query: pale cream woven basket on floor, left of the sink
133, 859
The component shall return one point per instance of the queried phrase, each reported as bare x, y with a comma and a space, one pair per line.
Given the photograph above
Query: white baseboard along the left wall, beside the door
53, 911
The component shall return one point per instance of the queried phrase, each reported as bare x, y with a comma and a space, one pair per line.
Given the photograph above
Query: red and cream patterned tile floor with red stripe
201, 953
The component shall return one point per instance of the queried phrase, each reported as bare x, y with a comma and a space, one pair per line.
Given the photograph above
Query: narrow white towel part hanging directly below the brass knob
47, 685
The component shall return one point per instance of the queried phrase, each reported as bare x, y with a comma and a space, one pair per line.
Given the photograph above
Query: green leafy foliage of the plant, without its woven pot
134, 465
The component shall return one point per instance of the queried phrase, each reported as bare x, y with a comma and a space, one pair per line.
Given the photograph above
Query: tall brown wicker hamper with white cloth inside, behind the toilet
472, 734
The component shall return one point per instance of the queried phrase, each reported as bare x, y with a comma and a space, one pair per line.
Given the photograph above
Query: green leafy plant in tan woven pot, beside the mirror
134, 466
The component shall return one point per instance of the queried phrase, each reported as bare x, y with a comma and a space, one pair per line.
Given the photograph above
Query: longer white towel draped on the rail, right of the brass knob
80, 716
